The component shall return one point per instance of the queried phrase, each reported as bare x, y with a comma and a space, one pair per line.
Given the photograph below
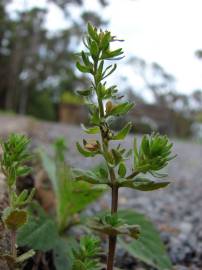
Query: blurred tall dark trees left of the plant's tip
33, 62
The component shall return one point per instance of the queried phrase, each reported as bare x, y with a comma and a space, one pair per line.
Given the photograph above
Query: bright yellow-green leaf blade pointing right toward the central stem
71, 196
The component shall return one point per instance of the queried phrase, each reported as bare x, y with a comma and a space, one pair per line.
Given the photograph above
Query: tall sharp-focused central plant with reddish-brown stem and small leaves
151, 156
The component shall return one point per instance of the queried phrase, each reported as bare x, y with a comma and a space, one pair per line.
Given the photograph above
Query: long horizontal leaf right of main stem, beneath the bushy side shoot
143, 184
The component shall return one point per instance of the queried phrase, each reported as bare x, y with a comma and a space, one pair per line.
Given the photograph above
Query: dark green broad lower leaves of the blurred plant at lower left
41, 234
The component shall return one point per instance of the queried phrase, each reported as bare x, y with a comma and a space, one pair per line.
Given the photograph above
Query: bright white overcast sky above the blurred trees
164, 31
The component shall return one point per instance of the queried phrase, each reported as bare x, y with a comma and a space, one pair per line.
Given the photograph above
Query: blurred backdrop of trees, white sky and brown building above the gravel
161, 70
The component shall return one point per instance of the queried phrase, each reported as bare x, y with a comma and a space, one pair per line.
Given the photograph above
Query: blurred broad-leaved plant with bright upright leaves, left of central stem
45, 232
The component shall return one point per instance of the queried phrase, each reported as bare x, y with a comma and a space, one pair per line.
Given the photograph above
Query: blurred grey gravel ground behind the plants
176, 210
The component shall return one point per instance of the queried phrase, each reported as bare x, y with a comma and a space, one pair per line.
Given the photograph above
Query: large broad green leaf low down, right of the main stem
149, 247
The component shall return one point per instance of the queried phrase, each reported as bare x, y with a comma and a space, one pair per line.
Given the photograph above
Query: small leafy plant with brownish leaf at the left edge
14, 157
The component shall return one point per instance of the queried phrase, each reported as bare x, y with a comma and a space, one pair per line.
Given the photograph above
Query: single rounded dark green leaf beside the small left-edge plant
39, 233
